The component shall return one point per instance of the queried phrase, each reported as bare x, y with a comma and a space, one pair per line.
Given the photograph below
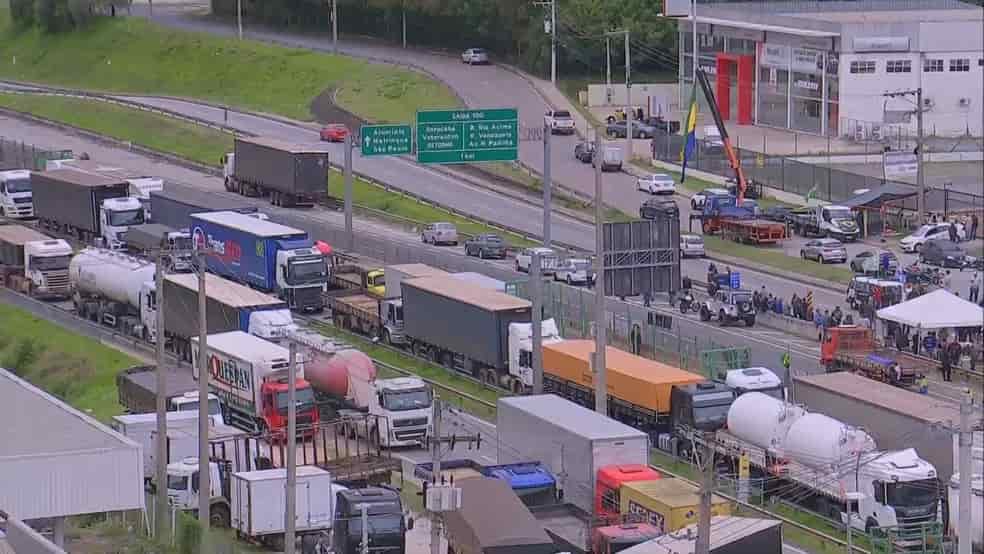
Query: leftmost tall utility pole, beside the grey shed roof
160, 504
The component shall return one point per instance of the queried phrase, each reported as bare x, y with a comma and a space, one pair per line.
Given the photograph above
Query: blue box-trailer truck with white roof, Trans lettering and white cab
265, 255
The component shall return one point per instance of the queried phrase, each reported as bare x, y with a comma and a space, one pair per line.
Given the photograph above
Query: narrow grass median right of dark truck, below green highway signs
395, 204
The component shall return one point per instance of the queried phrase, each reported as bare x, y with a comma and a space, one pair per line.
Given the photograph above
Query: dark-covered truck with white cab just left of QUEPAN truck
137, 390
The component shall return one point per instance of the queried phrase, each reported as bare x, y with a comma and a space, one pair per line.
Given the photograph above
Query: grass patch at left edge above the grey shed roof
76, 369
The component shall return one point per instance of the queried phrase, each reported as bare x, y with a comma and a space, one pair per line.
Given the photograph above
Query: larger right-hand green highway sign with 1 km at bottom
466, 136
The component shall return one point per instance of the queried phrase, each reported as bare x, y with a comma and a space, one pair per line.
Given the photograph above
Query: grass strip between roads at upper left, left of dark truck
164, 134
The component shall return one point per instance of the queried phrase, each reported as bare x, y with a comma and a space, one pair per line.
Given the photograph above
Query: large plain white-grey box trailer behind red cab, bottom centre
571, 440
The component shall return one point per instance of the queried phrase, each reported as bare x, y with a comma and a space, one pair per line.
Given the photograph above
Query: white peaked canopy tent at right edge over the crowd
939, 309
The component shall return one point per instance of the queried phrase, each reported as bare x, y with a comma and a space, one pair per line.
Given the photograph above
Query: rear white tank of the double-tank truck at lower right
763, 420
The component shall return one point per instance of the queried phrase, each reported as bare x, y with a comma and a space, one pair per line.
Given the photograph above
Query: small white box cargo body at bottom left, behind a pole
259, 501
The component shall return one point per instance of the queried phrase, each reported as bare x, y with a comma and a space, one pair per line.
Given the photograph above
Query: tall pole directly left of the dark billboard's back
601, 387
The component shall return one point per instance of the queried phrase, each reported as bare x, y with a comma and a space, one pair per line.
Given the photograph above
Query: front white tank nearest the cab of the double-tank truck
818, 441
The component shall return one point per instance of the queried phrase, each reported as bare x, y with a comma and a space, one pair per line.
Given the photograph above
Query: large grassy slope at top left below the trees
133, 55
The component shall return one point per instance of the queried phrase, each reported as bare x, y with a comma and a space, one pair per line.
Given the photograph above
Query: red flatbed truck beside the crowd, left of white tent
853, 348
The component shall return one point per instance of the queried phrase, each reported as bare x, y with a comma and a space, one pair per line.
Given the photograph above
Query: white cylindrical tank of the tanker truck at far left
110, 274
